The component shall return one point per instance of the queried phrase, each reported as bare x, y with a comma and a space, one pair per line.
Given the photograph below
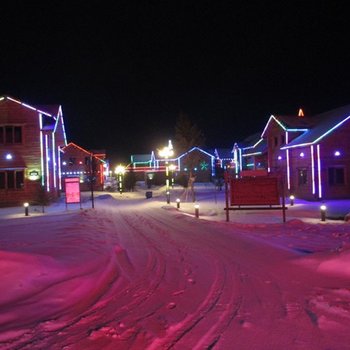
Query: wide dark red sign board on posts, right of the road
255, 191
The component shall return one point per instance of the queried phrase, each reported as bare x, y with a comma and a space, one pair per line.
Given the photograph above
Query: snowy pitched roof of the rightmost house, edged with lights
323, 124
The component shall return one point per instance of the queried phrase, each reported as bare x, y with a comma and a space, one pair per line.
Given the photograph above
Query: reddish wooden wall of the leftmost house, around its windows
27, 155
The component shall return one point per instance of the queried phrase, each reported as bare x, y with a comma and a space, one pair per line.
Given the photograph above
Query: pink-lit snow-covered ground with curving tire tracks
137, 273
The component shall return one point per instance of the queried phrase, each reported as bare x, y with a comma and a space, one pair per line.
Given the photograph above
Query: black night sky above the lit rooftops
123, 72
